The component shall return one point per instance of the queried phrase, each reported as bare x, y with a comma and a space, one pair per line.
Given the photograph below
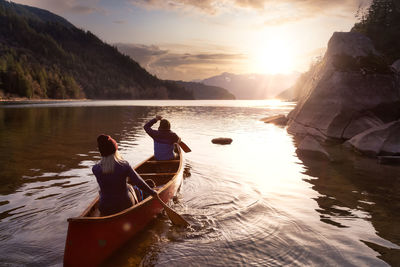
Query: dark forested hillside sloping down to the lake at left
42, 55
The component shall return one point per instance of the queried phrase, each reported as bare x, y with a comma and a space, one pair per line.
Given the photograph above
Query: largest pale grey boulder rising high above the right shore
347, 92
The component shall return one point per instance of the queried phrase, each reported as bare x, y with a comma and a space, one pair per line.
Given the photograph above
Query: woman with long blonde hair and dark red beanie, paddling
111, 173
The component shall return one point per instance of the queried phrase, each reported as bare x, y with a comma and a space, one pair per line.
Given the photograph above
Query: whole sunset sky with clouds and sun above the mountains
197, 39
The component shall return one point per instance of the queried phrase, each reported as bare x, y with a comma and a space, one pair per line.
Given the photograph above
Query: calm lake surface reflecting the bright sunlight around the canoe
252, 203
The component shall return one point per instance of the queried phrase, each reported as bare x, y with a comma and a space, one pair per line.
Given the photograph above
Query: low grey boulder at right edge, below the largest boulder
383, 140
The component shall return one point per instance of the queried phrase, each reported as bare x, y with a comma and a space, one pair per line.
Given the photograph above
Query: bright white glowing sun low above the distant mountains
273, 56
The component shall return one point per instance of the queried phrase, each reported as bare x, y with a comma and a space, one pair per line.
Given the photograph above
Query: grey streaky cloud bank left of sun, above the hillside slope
166, 64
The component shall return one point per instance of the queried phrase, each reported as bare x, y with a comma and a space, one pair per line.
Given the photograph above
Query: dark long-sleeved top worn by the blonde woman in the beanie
113, 188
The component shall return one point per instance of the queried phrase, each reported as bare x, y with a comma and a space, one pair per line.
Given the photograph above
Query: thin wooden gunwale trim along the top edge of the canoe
83, 218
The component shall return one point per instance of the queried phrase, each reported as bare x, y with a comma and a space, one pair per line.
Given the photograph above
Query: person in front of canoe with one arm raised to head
164, 138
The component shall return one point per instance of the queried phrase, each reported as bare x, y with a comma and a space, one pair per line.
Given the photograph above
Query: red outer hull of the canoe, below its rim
91, 240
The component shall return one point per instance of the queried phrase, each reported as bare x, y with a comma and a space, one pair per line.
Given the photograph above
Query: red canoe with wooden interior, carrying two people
91, 239
